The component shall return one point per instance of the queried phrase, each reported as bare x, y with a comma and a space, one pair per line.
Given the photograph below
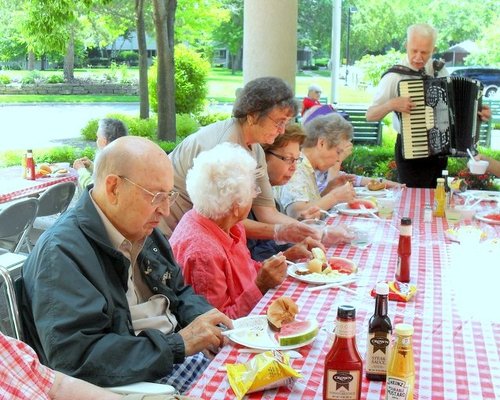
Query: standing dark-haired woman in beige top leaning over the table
262, 110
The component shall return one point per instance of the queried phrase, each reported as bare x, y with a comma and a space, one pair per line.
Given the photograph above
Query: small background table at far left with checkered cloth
13, 186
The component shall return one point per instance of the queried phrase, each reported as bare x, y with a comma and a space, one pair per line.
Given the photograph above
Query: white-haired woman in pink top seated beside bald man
210, 242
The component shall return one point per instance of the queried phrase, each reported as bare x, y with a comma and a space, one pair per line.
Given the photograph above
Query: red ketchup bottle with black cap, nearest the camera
343, 364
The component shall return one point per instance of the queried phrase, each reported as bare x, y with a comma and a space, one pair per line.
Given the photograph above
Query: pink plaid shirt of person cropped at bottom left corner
22, 377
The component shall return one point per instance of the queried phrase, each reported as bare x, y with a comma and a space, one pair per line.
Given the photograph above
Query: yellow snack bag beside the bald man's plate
266, 370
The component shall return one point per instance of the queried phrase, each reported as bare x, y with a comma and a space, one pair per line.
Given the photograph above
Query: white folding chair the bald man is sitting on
10, 323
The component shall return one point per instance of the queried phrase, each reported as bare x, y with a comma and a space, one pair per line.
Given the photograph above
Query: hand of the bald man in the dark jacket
203, 333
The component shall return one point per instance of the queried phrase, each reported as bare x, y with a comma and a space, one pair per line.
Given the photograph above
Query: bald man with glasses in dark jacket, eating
104, 299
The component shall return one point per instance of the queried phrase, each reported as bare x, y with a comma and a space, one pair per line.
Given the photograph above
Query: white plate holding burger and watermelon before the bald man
259, 335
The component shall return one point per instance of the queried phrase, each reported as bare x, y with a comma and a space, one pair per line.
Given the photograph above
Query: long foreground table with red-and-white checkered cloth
457, 325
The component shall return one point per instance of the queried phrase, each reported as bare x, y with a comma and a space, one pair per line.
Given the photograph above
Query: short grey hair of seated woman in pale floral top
333, 127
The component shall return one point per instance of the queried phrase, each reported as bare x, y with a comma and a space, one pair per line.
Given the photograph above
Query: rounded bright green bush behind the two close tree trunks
191, 74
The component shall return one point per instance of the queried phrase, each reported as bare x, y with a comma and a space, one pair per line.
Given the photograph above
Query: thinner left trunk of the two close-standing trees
143, 60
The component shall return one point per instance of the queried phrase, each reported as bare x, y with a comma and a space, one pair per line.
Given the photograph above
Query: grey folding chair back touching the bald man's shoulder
52, 202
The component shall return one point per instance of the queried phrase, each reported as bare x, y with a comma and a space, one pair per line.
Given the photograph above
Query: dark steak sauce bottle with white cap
379, 333
